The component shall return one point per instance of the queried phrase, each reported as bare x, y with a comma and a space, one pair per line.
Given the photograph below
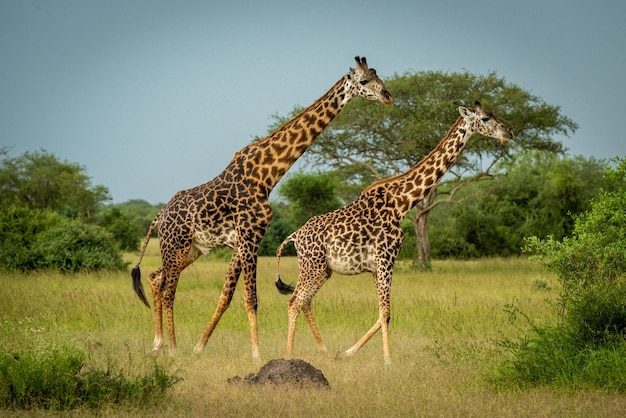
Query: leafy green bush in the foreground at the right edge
588, 347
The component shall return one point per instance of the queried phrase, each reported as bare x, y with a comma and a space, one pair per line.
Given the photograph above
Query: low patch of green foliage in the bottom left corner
58, 379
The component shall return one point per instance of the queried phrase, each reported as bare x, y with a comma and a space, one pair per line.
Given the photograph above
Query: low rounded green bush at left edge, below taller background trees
41, 239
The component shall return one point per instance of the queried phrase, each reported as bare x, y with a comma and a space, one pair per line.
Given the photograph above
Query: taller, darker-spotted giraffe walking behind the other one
233, 210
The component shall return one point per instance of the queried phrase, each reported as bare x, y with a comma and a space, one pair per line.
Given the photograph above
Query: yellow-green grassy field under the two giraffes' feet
445, 329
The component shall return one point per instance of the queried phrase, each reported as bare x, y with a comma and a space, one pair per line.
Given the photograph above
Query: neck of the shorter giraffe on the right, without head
409, 188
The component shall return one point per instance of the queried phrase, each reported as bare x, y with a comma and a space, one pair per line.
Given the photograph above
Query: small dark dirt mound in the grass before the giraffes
280, 371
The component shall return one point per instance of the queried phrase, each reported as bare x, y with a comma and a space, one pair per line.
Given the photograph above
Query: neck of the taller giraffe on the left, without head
272, 156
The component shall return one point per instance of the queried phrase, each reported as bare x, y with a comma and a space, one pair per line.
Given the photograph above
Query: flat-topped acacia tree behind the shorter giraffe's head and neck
366, 143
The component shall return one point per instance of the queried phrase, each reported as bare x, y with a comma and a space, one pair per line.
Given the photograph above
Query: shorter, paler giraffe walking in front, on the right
365, 235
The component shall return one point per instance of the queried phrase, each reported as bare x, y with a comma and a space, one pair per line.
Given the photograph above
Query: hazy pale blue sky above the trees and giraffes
152, 97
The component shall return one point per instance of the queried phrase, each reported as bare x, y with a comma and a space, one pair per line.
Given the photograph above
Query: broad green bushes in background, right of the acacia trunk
537, 197
